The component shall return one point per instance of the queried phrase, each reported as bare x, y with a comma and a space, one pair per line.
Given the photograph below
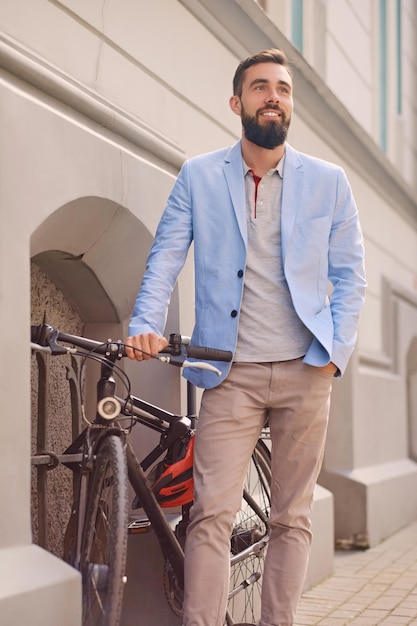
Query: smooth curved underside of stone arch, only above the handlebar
95, 251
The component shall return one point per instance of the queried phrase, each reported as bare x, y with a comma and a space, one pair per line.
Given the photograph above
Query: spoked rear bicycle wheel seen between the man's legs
249, 540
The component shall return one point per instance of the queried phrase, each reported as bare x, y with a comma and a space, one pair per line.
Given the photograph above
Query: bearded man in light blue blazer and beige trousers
271, 228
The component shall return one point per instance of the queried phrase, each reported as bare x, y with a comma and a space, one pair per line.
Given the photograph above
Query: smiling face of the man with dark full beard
265, 105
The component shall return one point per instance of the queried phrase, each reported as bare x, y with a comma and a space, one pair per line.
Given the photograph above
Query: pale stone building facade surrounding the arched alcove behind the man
100, 102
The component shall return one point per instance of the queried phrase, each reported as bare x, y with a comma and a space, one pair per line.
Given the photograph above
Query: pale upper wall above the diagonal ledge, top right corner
346, 43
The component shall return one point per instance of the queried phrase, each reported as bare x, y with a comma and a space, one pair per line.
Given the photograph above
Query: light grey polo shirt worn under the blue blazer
269, 328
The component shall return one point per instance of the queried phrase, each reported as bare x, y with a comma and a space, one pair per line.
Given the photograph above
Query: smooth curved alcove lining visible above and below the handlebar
94, 250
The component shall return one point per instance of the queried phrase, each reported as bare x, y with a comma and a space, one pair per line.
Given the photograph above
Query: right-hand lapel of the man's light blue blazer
292, 186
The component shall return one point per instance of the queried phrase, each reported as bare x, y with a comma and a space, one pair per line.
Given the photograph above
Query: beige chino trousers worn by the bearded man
294, 398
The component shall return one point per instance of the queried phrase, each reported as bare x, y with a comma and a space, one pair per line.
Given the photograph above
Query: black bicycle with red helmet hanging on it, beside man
104, 462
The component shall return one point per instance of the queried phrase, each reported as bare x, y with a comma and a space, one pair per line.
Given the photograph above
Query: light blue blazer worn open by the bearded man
321, 242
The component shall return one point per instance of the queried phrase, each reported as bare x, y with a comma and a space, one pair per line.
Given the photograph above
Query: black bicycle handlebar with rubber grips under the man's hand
46, 336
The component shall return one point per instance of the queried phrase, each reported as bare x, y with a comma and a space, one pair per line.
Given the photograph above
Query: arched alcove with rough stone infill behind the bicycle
88, 258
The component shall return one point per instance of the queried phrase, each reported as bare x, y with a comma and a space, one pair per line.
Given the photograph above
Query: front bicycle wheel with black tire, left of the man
104, 542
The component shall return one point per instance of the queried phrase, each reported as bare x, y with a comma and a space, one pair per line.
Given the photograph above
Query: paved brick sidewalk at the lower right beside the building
375, 586
